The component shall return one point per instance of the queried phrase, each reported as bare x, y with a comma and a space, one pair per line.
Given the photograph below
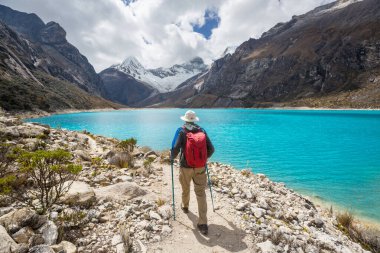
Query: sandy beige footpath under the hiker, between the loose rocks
223, 236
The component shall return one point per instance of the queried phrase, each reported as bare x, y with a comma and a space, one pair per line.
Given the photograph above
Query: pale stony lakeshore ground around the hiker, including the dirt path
111, 208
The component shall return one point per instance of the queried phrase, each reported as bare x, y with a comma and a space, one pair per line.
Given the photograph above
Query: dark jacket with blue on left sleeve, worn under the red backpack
180, 143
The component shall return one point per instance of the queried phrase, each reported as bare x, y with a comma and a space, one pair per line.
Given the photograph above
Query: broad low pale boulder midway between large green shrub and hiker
120, 191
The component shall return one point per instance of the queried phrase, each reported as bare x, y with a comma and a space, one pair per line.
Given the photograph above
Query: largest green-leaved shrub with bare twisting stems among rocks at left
48, 172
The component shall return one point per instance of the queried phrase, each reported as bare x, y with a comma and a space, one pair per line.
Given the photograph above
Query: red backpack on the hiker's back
196, 149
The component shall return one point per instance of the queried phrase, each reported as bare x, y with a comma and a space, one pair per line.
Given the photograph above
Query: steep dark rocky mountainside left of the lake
41, 70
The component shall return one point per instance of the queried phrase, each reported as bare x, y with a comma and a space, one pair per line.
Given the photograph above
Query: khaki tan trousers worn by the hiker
199, 177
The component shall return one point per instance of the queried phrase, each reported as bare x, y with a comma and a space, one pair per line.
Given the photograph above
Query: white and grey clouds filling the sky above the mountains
160, 32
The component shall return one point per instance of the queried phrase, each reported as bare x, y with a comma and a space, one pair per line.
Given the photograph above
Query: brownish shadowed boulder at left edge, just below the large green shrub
24, 217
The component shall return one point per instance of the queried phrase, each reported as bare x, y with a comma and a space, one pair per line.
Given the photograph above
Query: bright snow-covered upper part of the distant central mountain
163, 79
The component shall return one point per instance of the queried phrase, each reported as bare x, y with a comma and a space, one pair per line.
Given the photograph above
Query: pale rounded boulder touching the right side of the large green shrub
80, 194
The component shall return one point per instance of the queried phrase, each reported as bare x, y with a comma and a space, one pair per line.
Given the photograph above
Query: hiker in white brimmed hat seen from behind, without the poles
195, 147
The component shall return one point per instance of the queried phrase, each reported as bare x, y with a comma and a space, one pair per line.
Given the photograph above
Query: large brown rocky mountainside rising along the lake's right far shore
327, 57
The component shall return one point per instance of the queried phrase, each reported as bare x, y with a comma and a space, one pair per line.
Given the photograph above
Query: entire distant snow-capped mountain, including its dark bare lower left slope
129, 82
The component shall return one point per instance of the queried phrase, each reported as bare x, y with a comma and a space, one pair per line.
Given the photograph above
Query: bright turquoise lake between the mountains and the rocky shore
331, 155
